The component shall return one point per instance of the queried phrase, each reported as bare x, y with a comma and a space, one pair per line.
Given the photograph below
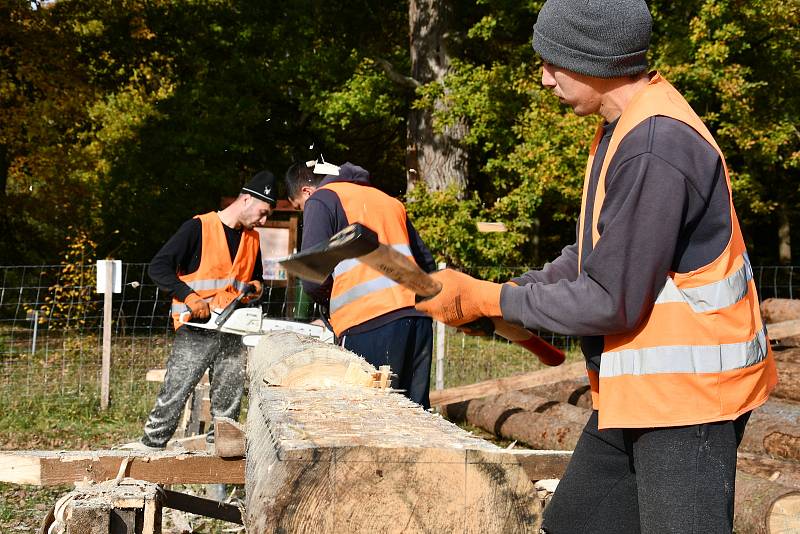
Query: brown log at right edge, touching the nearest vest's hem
774, 429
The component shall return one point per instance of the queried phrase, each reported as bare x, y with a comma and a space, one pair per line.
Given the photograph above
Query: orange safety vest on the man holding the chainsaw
218, 280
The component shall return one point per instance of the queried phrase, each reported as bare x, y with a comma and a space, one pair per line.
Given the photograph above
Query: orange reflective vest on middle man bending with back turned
359, 292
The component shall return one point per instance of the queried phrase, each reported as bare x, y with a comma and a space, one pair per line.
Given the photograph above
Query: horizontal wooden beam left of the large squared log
50, 468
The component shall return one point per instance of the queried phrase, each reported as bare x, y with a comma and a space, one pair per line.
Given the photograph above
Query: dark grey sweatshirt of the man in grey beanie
666, 209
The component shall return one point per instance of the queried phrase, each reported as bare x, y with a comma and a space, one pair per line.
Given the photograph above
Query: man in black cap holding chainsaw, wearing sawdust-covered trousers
205, 265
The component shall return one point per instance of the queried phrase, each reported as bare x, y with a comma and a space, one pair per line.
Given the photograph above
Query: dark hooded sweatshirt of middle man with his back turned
324, 215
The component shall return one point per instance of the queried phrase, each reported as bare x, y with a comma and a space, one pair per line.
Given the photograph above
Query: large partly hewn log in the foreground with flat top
348, 458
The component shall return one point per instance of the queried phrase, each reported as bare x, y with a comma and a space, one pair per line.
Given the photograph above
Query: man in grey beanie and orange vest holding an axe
658, 285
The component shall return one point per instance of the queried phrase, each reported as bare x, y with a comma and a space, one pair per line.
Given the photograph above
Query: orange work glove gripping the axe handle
462, 299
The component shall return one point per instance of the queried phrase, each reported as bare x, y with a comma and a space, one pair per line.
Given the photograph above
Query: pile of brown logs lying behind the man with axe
768, 477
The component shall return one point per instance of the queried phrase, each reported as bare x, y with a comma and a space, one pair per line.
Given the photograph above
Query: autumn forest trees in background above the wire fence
120, 119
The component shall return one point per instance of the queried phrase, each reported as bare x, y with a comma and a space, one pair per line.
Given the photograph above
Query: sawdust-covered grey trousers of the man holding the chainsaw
194, 351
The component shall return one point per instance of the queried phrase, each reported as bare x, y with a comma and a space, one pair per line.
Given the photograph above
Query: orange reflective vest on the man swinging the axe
702, 354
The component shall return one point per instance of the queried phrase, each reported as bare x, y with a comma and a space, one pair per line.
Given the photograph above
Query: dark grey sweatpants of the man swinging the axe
655, 481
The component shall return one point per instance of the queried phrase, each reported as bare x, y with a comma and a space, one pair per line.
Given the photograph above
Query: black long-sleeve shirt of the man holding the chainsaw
181, 255
